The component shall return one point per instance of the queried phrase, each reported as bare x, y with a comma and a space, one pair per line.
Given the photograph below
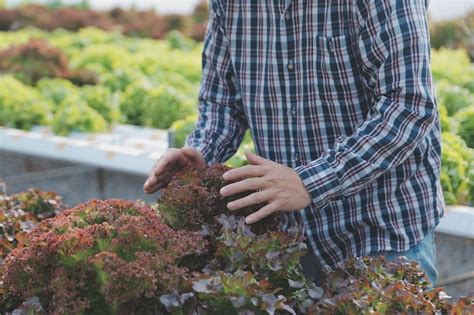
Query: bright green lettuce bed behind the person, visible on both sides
86, 81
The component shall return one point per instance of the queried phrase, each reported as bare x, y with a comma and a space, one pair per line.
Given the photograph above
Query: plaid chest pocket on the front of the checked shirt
335, 66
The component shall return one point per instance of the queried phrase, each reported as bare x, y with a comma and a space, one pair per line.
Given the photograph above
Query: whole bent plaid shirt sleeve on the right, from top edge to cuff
395, 55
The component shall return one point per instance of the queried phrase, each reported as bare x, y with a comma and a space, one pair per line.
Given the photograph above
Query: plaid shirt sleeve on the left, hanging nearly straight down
222, 123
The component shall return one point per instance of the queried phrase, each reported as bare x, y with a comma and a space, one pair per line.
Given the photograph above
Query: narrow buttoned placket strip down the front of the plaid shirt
288, 33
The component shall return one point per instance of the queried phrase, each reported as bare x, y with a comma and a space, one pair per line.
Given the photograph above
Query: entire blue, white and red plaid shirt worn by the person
342, 92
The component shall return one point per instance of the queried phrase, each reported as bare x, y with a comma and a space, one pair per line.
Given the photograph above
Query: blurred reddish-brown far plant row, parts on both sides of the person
455, 33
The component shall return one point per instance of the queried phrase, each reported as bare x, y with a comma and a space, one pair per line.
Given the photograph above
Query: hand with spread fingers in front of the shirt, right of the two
277, 185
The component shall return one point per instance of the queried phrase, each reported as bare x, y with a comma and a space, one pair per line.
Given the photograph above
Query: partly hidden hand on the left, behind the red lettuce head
169, 164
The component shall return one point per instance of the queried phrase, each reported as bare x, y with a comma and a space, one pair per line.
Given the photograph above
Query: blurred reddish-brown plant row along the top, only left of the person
145, 24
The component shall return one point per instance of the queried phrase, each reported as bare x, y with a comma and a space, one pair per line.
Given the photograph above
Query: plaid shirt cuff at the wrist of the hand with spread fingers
321, 181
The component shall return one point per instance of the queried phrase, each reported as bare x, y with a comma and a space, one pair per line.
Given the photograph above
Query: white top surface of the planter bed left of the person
127, 149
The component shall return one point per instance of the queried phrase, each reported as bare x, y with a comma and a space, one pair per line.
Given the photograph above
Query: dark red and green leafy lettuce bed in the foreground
187, 255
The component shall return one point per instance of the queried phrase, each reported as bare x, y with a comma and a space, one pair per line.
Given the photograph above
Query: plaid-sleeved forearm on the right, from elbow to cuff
378, 146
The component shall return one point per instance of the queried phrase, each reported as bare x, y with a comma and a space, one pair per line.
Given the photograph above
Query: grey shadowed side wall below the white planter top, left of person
75, 182
